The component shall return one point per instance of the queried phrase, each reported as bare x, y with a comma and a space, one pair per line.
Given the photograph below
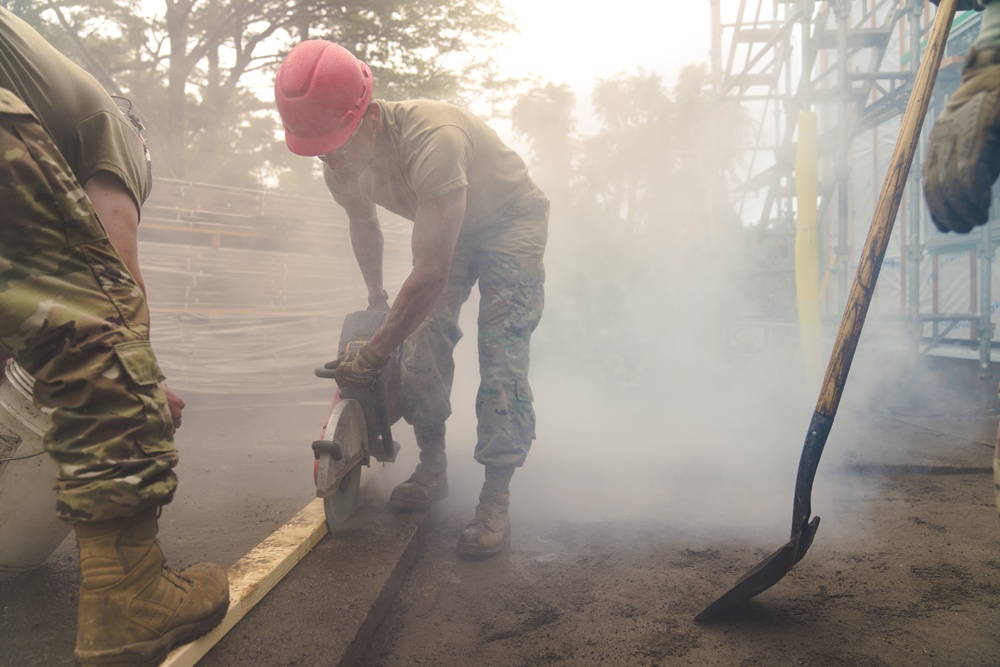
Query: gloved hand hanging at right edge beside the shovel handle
963, 160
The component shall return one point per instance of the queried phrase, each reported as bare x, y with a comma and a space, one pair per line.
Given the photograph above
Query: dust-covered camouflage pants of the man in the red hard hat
506, 261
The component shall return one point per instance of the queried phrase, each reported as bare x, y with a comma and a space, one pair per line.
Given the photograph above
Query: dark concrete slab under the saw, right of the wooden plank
334, 598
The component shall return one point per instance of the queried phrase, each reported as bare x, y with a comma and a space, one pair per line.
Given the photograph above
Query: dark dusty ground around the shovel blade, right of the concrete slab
905, 574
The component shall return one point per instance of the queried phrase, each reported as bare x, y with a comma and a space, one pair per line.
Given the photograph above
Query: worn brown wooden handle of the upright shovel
885, 214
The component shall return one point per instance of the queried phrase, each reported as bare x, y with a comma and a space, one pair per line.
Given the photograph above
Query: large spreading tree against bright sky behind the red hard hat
199, 71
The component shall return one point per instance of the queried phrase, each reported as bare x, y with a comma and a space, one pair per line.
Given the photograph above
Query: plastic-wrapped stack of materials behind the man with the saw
248, 290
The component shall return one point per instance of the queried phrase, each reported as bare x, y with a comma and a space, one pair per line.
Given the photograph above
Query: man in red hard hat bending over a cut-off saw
478, 218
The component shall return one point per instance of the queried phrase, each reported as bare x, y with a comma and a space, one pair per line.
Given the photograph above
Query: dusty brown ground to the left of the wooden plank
244, 471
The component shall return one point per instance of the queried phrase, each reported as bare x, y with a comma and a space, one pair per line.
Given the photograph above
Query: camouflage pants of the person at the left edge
74, 318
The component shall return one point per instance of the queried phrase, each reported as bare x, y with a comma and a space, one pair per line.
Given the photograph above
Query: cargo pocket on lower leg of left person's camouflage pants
156, 435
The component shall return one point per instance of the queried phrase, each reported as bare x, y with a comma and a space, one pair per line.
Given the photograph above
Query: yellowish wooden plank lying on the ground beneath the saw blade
252, 576
